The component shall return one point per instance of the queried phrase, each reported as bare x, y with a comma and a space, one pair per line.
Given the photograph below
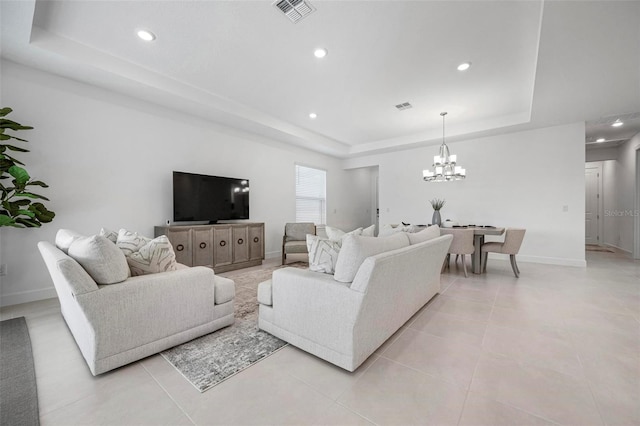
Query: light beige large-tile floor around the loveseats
559, 345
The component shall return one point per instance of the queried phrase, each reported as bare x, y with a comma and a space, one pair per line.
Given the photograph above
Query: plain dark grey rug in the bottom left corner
18, 392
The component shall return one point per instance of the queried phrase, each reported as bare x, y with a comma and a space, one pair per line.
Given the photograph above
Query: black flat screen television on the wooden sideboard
199, 198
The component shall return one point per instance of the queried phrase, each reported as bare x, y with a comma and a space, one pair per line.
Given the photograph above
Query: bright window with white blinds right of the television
311, 195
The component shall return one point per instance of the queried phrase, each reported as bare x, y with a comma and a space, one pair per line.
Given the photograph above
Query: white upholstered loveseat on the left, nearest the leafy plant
116, 324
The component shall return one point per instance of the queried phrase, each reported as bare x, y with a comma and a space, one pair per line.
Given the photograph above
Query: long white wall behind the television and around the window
108, 160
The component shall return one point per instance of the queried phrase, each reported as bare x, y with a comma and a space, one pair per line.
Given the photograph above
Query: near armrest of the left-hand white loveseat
149, 307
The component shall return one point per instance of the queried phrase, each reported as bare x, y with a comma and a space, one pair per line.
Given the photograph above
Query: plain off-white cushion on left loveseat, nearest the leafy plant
102, 260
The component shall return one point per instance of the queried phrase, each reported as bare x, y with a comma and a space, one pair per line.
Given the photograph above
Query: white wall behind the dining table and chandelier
521, 180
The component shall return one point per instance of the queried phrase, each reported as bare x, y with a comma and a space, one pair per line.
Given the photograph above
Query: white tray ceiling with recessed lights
245, 65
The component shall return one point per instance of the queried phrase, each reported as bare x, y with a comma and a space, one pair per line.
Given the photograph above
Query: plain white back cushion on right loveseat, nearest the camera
355, 249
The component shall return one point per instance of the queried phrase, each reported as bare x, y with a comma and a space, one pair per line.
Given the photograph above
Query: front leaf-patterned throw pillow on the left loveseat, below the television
155, 256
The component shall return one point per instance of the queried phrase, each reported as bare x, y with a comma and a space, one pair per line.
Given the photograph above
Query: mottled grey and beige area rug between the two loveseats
213, 358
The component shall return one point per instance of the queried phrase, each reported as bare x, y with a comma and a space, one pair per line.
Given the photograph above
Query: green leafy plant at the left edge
18, 207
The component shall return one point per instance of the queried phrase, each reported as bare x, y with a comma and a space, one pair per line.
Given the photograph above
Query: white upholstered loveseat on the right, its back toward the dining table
345, 322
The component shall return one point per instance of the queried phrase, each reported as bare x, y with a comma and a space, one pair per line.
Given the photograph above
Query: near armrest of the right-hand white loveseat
314, 305
